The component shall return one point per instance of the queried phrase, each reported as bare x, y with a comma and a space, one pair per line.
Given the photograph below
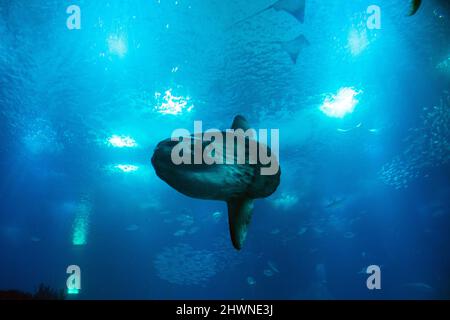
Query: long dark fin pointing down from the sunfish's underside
240, 212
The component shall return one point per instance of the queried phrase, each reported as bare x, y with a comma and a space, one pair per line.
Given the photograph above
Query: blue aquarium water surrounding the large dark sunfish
371, 188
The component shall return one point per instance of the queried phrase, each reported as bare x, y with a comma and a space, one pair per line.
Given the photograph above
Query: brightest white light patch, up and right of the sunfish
341, 104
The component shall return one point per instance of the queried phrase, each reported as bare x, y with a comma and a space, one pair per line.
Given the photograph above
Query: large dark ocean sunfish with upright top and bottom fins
237, 184
